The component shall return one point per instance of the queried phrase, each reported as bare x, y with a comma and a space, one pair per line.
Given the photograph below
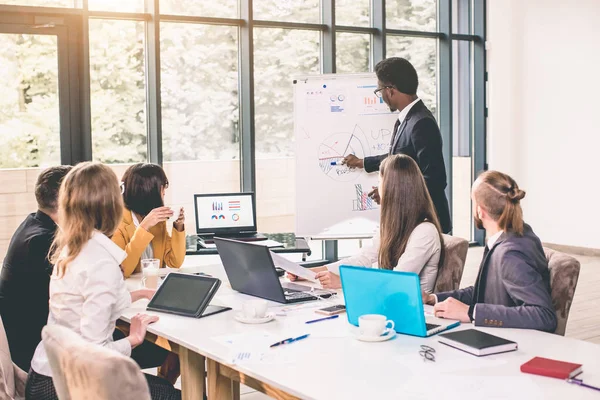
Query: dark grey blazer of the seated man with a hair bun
513, 286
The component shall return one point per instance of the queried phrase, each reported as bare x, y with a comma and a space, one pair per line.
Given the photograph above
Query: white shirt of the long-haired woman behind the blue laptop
421, 256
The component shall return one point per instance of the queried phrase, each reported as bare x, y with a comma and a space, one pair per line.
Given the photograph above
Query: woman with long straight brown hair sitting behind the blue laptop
409, 237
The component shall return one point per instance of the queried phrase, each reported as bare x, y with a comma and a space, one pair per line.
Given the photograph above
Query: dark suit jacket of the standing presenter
419, 138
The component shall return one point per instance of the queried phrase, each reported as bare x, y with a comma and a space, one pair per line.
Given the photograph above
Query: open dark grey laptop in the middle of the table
251, 270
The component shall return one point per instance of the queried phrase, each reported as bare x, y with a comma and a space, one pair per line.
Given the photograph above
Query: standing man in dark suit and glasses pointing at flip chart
415, 134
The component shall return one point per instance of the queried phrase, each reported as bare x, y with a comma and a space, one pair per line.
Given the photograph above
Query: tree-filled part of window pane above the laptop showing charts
200, 97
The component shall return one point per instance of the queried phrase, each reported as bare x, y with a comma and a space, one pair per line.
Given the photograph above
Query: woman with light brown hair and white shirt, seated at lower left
87, 290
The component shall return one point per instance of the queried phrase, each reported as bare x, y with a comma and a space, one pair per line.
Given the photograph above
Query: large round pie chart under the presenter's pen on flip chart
333, 150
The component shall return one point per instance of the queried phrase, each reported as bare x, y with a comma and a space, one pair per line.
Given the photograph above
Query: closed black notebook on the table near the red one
477, 342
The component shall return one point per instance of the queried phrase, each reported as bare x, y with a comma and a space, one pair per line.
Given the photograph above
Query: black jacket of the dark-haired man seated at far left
24, 286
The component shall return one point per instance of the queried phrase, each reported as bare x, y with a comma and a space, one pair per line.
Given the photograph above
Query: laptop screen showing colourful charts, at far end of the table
225, 213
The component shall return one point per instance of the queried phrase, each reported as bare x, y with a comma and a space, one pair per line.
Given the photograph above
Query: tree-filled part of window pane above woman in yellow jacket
117, 87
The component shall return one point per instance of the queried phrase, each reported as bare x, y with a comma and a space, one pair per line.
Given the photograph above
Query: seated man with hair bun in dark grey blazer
512, 289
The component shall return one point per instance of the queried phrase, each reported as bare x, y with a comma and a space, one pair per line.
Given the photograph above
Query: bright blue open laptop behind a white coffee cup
397, 295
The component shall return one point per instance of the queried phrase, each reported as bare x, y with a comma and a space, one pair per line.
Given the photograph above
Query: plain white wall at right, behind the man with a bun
544, 109
